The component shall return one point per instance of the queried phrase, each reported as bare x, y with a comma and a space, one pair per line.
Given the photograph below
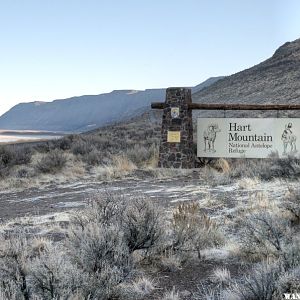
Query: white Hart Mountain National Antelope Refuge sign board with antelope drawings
248, 138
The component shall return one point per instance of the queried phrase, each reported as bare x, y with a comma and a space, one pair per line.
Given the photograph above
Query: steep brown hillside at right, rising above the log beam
276, 80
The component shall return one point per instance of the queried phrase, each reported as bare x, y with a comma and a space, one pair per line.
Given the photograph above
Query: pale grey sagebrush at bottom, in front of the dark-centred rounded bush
100, 252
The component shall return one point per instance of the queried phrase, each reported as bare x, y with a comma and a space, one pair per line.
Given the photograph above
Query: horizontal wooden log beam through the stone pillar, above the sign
220, 106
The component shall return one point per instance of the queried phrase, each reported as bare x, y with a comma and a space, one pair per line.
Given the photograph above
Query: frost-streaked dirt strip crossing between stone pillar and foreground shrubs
166, 192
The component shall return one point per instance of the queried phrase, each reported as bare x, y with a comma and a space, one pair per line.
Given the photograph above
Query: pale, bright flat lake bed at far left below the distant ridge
16, 136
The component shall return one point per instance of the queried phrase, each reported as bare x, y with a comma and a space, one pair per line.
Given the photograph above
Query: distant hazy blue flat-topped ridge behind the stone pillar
84, 113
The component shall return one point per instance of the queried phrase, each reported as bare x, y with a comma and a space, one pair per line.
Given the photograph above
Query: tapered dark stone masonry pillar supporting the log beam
177, 154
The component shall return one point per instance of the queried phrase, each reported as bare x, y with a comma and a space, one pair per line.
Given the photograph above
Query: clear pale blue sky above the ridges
54, 49
